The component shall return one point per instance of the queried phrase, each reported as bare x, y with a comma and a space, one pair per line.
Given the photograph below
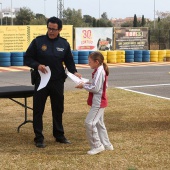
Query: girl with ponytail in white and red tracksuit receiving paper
94, 123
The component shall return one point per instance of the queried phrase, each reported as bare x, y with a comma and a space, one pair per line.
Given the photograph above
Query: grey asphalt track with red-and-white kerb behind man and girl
146, 78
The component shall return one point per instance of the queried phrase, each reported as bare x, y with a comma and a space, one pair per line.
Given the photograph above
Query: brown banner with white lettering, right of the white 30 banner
131, 38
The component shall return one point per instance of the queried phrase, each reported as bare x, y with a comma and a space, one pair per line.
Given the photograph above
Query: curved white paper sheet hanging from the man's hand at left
44, 78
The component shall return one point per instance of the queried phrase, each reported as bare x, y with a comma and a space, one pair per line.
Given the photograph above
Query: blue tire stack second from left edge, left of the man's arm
17, 59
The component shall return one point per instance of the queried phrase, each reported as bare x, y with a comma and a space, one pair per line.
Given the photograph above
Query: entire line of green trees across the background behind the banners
158, 30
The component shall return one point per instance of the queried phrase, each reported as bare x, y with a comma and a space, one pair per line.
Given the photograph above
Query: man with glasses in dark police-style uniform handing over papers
50, 50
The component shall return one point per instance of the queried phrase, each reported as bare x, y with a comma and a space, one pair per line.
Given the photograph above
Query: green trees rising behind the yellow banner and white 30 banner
70, 17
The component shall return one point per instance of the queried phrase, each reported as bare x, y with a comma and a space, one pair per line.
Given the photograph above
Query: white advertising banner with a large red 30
93, 39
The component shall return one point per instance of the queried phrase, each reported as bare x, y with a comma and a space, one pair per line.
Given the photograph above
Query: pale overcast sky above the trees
94, 8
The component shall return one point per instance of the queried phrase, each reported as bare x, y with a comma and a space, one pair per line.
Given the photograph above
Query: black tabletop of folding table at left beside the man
16, 91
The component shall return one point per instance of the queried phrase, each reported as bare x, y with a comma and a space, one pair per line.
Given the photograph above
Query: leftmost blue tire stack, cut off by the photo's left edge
5, 59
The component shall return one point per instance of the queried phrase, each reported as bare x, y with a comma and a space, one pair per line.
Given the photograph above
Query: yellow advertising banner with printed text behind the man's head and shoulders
18, 38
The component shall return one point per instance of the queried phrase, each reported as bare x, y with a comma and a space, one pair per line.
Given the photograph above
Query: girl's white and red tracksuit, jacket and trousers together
95, 128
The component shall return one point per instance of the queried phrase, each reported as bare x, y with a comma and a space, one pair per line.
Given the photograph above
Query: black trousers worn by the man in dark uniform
54, 89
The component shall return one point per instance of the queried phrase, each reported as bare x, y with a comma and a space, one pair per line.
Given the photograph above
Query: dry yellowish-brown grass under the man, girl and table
138, 127
